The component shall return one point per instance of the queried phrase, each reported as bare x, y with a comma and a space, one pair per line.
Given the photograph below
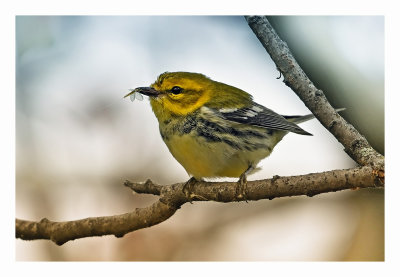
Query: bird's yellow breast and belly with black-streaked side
209, 148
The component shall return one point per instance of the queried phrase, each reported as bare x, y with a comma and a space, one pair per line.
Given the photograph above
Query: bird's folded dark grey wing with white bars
260, 116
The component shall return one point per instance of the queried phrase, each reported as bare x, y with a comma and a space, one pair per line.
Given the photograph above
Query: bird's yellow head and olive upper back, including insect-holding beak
181, 93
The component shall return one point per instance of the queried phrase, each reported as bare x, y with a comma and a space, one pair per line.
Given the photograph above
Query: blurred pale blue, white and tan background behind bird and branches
77, 140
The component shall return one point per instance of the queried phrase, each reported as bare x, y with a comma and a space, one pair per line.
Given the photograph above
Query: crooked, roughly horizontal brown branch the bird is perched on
172, 198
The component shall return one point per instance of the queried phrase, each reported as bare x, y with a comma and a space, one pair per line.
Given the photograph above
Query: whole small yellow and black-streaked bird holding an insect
214, 129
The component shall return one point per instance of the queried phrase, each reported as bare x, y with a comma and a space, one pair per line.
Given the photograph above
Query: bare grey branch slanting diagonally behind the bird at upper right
354, 143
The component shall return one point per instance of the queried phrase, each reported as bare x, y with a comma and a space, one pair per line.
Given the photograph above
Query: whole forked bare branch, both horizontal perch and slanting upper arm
371, 174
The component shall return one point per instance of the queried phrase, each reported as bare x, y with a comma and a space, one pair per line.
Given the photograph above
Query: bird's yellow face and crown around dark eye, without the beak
180, 93
